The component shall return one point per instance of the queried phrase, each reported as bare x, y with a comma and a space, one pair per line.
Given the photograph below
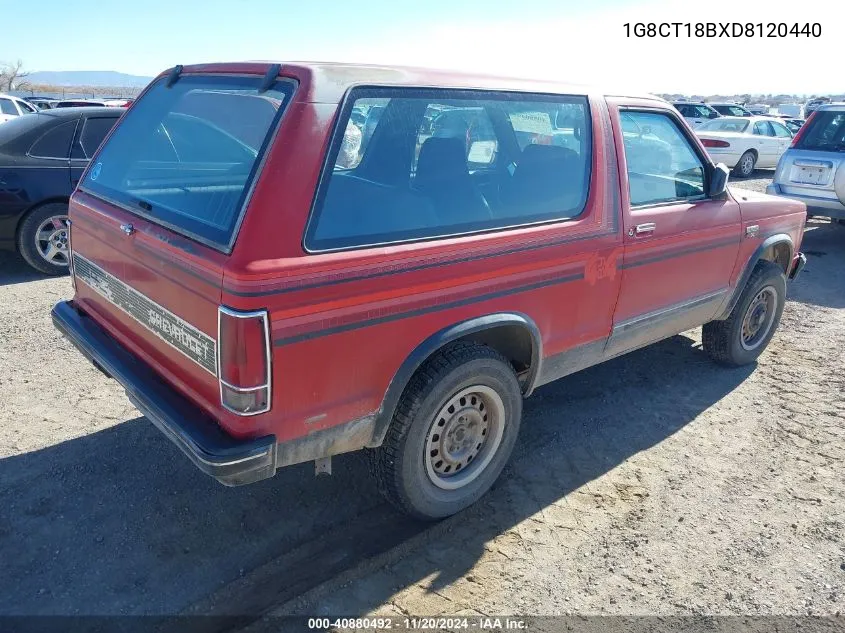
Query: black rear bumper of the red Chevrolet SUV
231, 461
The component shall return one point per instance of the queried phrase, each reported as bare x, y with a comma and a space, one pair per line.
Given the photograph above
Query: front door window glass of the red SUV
662, 165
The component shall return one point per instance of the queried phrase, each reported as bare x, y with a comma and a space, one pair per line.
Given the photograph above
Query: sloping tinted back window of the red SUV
185, 156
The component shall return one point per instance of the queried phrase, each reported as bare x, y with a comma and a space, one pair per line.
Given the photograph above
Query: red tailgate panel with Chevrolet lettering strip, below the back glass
150, 292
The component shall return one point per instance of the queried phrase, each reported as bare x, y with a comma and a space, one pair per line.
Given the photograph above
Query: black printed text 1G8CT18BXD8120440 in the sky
722, 29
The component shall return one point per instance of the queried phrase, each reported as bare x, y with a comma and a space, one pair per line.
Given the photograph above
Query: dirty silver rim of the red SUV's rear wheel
464, 436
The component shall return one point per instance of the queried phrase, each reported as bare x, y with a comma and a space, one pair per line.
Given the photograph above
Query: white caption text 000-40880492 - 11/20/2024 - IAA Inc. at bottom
483, 623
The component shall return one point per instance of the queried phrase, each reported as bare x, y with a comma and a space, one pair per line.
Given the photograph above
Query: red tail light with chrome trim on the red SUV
243, 360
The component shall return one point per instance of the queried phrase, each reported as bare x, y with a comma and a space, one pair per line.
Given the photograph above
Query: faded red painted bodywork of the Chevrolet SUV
339, 377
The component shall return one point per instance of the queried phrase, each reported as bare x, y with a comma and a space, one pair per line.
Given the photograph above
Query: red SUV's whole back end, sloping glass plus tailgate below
157, 213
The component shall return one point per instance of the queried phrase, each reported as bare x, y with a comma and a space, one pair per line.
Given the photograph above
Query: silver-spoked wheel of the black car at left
43, 239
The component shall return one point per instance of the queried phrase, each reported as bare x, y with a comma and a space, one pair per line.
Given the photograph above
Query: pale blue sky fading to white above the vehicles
574, 41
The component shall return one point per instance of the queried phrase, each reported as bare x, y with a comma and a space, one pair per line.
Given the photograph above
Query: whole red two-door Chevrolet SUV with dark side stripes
284, 262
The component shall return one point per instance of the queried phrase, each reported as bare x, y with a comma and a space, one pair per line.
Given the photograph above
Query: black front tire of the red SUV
723, 340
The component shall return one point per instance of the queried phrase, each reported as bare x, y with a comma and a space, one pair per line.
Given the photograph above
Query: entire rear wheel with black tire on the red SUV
453, 431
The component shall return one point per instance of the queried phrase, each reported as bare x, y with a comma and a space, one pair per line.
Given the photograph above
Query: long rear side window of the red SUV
418, 164
